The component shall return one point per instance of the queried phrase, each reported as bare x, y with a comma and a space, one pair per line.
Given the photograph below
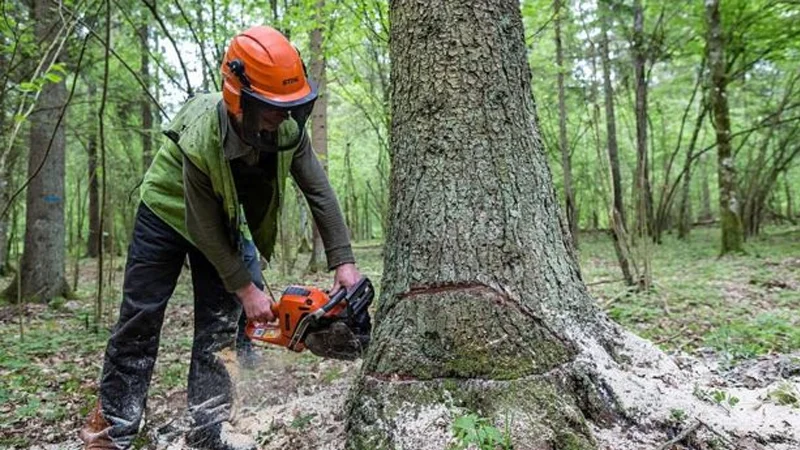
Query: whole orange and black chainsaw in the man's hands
335, 326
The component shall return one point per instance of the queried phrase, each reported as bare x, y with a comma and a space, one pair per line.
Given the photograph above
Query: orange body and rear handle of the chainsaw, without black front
295, 303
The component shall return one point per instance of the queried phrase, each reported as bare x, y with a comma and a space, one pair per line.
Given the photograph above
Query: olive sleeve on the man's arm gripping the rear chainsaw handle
206, 225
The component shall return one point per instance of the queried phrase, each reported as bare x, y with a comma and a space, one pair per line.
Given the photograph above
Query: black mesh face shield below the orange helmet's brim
263, 119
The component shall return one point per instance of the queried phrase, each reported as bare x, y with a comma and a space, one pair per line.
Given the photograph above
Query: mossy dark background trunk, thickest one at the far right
729, 204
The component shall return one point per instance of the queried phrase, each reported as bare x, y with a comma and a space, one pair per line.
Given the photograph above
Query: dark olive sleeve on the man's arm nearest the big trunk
312, 180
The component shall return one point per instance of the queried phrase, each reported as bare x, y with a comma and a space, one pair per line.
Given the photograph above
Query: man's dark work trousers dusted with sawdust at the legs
155, 258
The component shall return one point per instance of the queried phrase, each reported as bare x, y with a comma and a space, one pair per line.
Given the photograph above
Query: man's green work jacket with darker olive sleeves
195, 140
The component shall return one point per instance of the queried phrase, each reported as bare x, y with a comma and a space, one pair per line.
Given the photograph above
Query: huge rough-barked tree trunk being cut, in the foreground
481, 299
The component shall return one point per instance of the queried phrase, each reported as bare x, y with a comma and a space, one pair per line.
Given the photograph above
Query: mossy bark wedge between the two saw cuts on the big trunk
465, 334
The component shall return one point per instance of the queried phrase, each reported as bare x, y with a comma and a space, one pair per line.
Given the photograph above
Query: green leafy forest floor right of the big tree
739, 306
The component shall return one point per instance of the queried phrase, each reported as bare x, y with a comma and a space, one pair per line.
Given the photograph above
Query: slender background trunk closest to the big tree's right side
569, 194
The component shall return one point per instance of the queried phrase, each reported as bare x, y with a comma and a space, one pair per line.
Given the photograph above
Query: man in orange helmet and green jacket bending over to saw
214, 192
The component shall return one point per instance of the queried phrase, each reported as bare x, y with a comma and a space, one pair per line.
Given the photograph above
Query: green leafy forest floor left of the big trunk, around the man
50, 374
